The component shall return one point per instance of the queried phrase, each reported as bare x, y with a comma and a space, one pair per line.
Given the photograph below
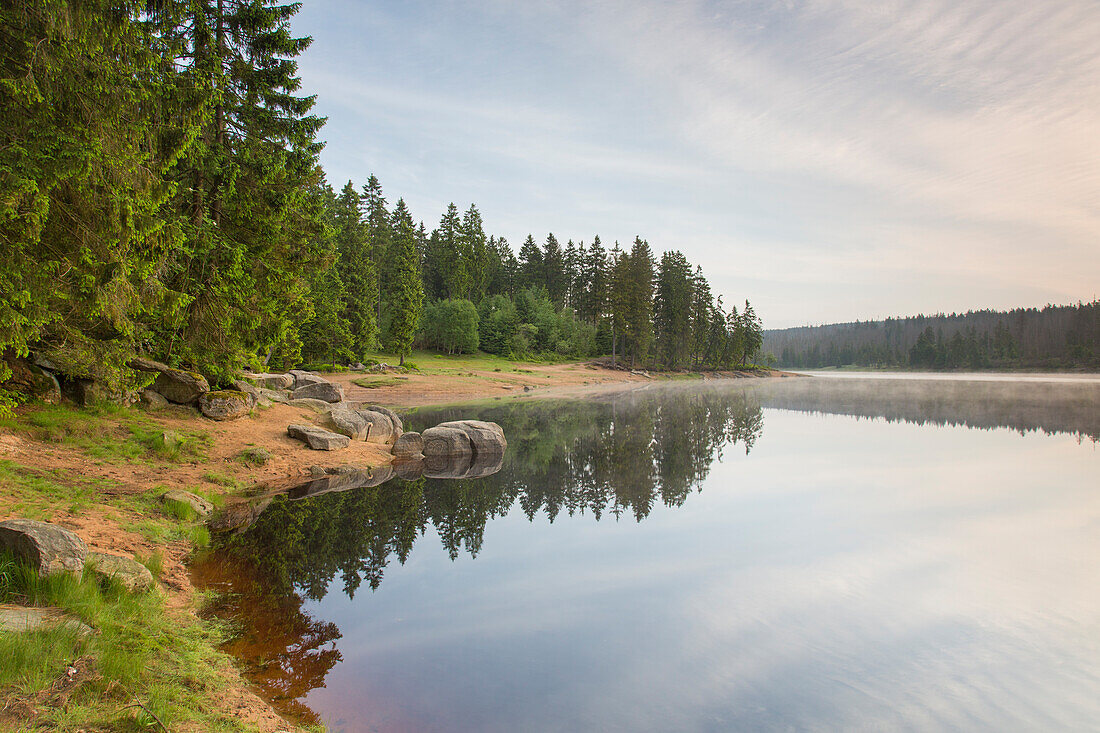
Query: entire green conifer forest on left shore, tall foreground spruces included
161, 195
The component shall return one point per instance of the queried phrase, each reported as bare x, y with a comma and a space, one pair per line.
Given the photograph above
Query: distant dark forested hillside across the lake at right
1054, 337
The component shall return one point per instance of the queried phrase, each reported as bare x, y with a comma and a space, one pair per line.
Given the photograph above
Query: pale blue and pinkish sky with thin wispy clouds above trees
828, 160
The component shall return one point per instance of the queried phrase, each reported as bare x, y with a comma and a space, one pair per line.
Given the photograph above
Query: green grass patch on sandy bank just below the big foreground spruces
109, 433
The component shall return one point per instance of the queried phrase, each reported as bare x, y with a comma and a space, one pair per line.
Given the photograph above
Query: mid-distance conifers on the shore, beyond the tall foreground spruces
458, 290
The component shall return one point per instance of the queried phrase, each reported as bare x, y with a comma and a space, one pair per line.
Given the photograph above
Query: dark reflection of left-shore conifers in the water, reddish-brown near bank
603, 457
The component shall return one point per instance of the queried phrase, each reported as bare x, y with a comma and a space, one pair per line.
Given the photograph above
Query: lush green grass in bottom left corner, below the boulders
141, 654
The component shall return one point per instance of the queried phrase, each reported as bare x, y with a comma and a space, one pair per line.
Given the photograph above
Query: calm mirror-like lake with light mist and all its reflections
755, 555
